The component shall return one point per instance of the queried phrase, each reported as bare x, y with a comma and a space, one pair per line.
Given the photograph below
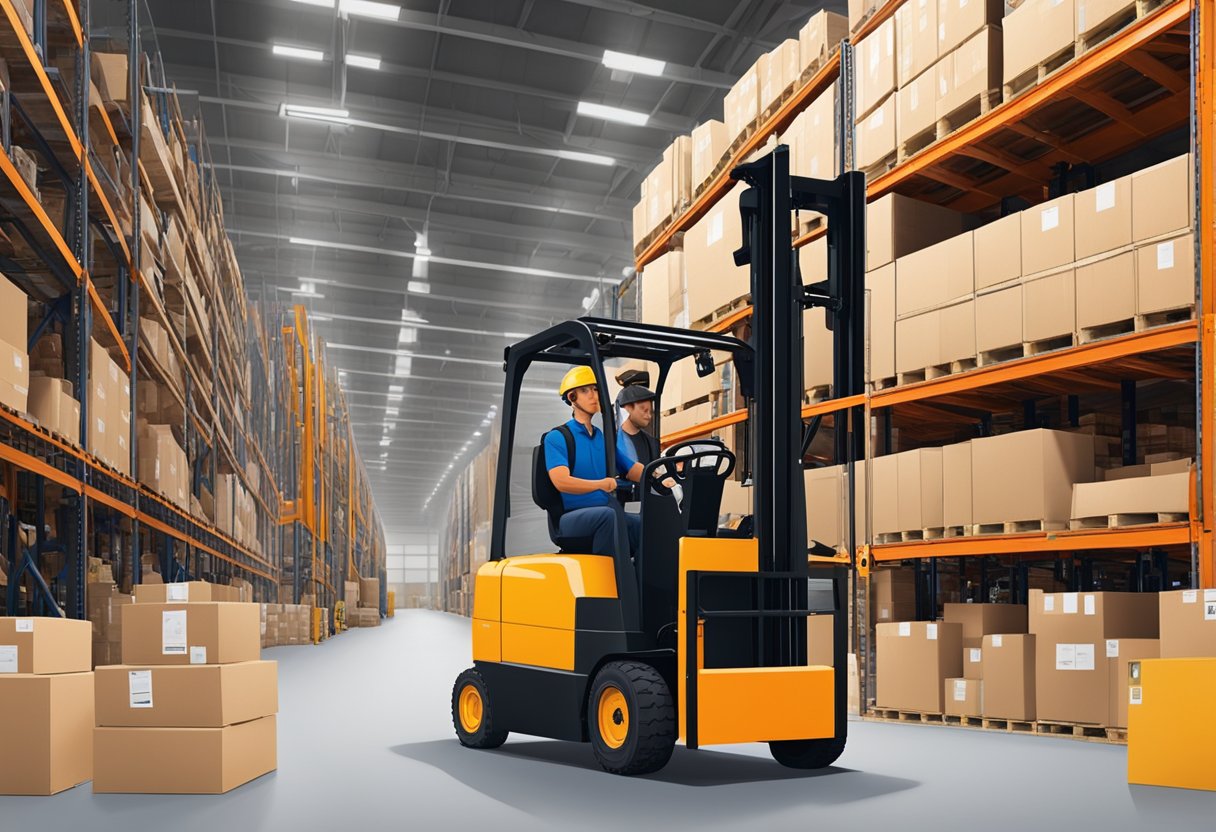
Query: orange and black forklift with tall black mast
702, 636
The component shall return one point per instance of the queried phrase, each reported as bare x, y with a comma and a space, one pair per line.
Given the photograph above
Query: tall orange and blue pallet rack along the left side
91, 278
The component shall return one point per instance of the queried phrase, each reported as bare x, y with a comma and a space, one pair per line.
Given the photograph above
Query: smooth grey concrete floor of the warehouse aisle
365, 739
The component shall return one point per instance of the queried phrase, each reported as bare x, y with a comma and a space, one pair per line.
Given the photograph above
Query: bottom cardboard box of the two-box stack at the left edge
47, 723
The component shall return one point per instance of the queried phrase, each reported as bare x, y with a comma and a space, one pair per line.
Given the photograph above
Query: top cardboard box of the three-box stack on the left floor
207, 633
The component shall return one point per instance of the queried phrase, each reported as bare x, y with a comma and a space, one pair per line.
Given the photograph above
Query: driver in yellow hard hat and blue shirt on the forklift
588, 492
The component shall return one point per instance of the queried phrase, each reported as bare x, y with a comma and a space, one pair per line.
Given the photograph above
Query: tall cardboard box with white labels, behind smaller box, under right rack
1074, 633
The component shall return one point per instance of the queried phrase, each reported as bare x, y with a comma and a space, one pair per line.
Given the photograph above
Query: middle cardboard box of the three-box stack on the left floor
193, 696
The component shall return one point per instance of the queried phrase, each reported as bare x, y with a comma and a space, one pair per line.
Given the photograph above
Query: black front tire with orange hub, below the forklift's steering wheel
649, 719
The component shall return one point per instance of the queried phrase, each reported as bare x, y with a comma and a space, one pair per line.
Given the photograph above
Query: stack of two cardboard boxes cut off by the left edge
47, 709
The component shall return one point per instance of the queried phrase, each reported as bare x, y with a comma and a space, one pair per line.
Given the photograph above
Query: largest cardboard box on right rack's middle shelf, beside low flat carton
1029, 476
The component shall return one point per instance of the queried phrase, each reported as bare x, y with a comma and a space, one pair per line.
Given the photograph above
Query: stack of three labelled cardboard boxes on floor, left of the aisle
193, 712
